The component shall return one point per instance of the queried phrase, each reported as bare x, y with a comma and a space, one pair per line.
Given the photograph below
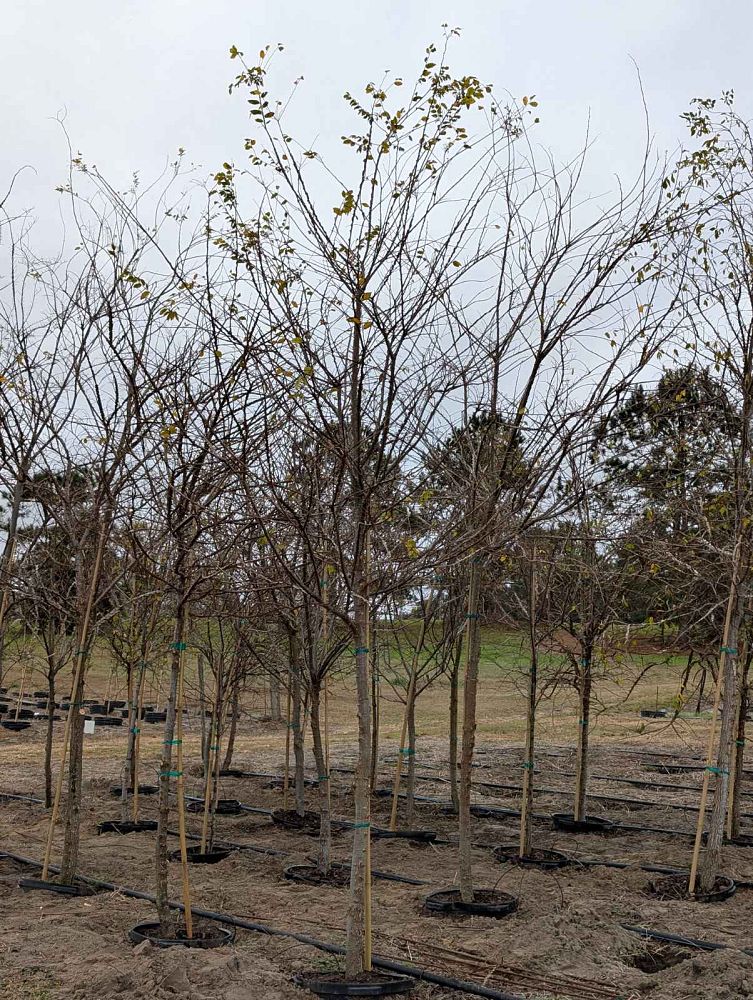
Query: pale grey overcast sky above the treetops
136, 79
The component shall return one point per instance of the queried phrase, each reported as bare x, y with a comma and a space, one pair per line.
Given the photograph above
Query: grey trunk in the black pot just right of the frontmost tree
470, 687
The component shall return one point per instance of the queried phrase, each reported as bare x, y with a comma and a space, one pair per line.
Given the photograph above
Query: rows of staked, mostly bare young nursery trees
422, 382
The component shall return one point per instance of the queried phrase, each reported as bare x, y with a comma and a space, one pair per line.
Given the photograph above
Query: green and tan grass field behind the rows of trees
501, 700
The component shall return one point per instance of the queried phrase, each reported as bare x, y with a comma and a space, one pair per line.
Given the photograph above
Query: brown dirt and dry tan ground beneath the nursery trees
565, 940
